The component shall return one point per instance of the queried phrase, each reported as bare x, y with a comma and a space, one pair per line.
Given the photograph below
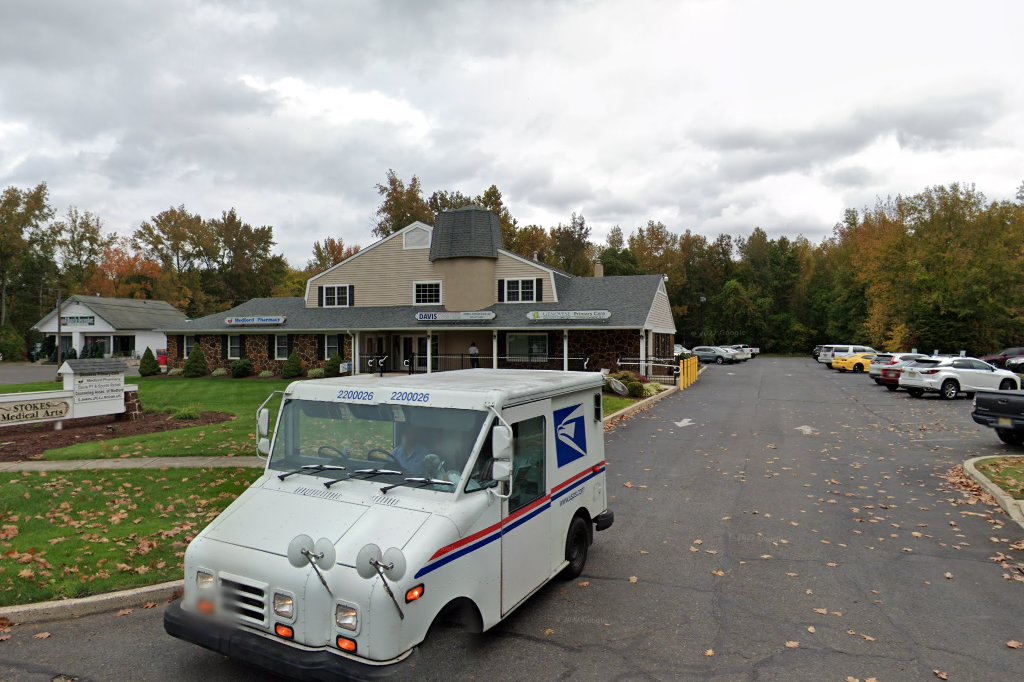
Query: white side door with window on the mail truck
527, 544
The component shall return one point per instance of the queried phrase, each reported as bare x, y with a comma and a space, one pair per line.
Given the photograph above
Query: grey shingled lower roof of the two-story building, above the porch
629, 300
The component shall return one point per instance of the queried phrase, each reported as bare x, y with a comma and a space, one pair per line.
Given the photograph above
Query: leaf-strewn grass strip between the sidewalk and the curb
75, 534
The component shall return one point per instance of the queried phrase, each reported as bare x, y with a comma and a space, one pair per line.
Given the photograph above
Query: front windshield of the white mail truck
420, 443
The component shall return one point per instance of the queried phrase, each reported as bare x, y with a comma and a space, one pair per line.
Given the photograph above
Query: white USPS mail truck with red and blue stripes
389, 503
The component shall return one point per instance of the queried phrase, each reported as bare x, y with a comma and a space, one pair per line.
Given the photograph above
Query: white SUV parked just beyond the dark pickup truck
950, 376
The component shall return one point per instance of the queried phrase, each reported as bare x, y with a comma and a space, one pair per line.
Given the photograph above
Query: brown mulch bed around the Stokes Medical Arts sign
29, 443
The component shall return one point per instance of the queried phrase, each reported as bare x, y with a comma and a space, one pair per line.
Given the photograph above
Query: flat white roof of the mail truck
477, 387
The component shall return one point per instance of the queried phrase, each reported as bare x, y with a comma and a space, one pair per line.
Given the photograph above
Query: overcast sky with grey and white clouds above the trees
709, 116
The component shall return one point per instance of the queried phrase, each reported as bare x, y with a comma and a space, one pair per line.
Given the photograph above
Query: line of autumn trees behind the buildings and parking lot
944, 269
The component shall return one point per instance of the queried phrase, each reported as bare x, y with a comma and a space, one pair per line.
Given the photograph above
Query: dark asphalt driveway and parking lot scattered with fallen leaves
778, 522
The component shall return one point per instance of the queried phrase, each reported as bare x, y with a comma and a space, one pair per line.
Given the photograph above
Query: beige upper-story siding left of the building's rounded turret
383, 276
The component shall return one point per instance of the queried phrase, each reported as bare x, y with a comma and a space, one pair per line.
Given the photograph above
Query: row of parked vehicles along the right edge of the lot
999, 402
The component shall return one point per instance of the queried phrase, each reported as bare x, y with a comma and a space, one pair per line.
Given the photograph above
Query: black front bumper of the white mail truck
271, 655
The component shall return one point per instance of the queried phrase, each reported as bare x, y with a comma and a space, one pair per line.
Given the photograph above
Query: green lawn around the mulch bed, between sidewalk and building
166, 395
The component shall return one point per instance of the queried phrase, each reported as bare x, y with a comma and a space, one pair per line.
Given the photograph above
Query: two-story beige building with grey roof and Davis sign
443, 297
